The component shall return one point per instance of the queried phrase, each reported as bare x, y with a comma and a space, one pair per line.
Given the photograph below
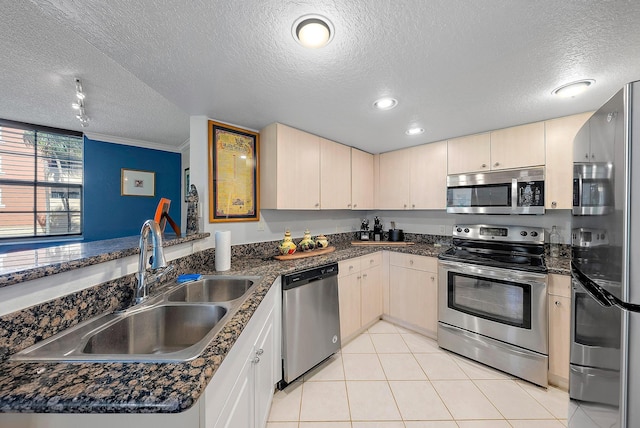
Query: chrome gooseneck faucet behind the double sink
157, 260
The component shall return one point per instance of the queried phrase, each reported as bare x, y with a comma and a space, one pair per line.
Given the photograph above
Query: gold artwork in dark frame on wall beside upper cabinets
233, 174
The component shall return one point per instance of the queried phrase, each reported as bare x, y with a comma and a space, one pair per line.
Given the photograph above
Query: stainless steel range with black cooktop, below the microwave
492, 299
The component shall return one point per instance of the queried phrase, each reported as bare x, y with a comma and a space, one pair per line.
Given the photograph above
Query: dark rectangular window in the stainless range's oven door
495, 300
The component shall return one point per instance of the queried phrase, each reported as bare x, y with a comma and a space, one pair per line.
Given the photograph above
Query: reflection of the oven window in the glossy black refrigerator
595, 325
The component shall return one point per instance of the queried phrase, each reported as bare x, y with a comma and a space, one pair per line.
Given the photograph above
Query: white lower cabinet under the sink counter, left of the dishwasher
238, 395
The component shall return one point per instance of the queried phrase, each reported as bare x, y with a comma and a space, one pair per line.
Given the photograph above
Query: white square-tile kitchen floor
389, 377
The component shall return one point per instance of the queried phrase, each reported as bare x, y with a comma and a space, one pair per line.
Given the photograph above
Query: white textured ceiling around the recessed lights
457, 67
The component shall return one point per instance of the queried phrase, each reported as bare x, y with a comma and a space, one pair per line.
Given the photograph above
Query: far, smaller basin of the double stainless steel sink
212, 290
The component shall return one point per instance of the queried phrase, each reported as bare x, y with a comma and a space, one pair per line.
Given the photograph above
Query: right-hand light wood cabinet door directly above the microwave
517, 147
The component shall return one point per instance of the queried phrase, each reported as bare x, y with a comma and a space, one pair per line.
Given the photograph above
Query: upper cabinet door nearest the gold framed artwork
298, 159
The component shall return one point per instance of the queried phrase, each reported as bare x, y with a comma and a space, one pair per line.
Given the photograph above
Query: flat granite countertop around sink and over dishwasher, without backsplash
44, 387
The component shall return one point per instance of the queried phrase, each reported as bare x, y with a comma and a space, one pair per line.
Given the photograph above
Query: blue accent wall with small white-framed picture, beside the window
107, 214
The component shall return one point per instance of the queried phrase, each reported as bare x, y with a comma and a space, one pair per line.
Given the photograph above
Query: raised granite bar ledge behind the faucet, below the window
28, 265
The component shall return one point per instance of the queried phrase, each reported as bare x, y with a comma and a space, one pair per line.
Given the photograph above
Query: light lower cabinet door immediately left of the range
408, 296
